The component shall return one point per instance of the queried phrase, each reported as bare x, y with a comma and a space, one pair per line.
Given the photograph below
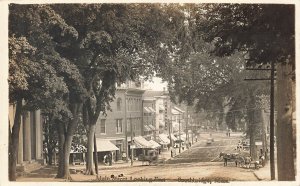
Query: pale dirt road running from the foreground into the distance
200, 163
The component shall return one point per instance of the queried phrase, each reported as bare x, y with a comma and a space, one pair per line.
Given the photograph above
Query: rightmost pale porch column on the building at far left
38, 131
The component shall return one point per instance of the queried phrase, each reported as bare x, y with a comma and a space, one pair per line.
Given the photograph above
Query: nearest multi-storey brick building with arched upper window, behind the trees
116, 125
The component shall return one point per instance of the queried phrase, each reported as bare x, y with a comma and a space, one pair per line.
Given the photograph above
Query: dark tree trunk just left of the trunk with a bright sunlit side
61, 142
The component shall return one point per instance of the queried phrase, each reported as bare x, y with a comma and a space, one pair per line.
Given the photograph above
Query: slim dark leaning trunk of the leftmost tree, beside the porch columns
14, 142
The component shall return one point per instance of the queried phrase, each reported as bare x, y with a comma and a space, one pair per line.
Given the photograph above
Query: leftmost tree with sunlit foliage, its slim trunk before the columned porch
39, 78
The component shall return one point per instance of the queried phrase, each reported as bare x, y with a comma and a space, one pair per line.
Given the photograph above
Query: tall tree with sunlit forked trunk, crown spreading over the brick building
115, 43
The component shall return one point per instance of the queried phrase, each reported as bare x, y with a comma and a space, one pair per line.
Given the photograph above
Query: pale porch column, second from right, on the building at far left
27, 136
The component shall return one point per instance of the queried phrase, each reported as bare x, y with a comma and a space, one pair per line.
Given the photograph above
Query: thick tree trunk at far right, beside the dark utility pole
285, 150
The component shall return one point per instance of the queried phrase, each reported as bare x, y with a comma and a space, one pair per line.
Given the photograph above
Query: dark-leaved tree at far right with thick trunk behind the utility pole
267, 33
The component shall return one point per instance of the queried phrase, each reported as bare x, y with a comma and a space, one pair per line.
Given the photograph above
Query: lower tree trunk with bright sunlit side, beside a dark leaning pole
89, 162
